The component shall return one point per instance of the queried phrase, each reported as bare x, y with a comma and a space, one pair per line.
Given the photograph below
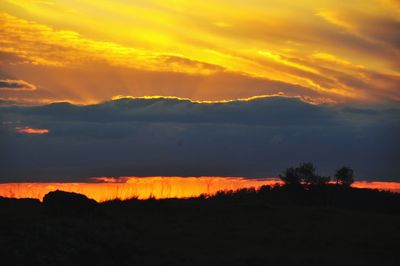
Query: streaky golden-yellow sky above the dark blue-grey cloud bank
90, 51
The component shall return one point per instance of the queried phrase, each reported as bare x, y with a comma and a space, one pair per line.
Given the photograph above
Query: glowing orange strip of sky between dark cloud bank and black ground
108, 188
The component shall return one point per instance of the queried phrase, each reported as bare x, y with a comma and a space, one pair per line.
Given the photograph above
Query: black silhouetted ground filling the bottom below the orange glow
281, 226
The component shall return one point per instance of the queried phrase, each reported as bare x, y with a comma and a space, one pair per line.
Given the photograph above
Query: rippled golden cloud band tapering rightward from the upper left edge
42, 45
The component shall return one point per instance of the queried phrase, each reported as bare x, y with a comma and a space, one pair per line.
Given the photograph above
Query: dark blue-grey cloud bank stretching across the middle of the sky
146, 137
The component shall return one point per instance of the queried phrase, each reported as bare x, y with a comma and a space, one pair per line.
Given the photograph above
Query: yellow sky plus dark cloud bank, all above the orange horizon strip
194, 88
